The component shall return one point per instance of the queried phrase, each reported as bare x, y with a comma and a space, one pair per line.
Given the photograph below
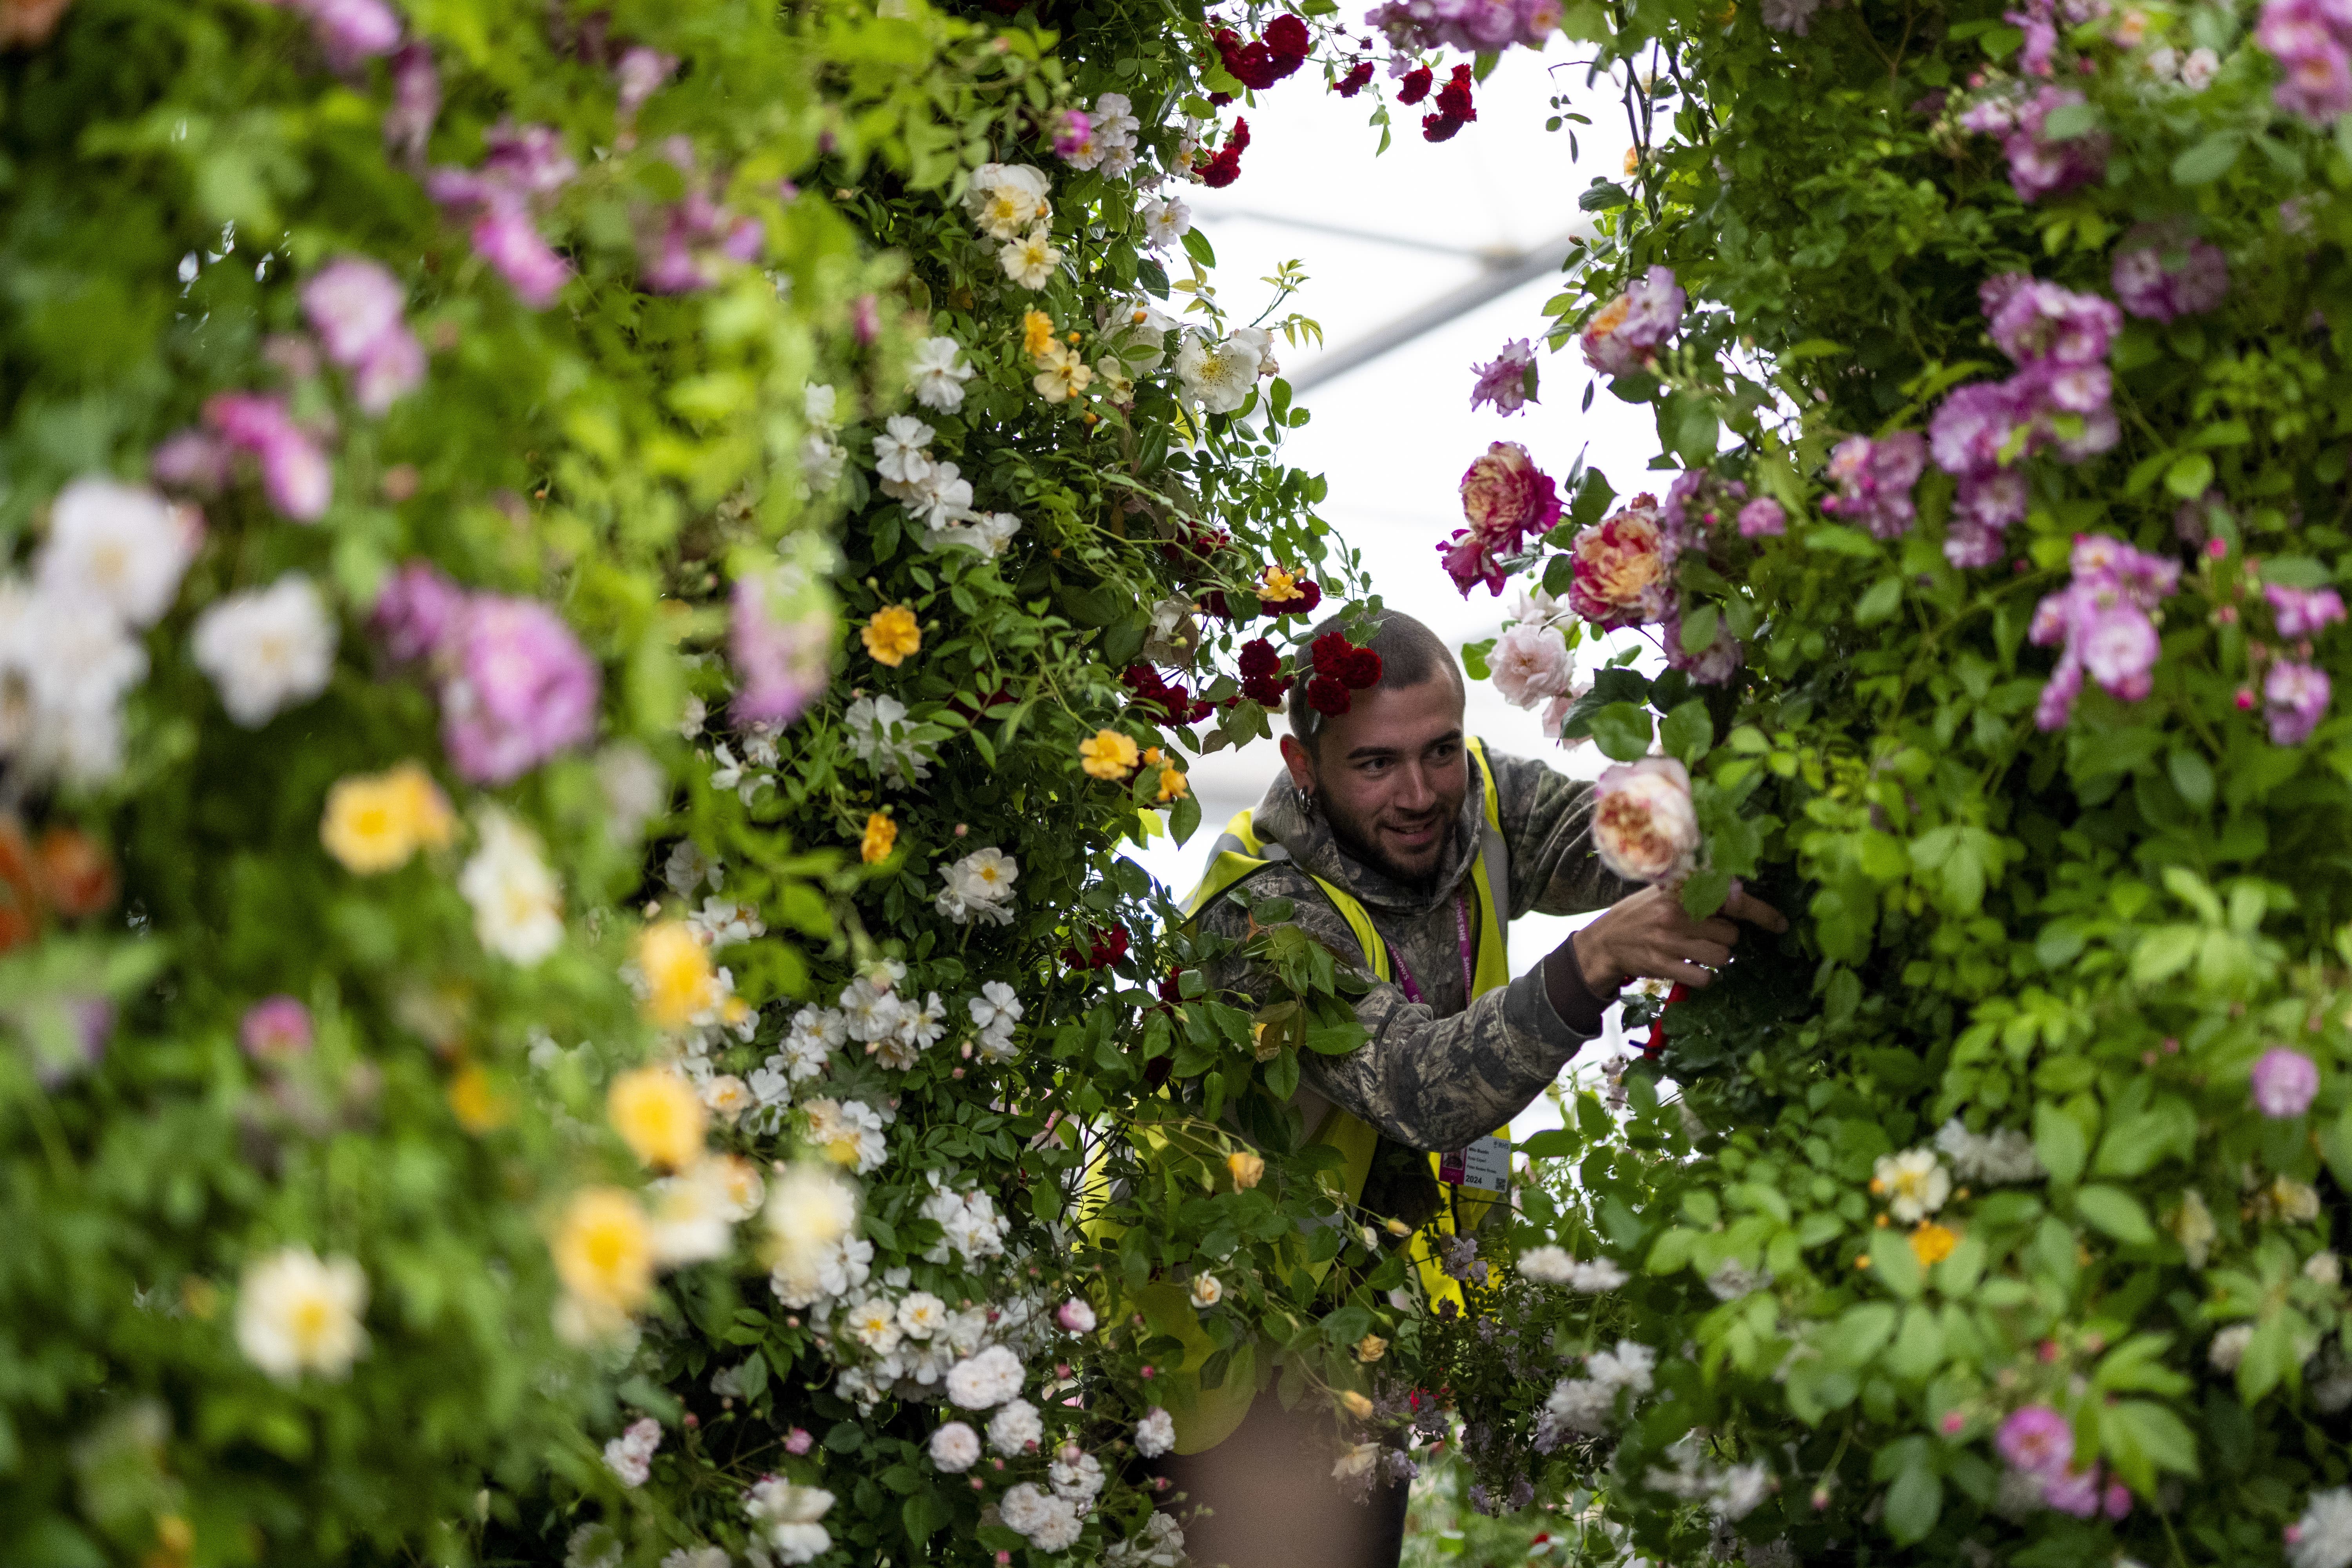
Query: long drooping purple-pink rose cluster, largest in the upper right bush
2059, 398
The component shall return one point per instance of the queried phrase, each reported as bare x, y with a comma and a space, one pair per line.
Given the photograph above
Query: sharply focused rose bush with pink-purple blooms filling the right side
1989, 1217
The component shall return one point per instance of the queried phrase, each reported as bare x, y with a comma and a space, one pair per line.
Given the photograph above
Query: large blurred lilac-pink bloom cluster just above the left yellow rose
516, 685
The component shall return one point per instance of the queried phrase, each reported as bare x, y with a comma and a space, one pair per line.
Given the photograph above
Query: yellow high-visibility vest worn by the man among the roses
1168, 1308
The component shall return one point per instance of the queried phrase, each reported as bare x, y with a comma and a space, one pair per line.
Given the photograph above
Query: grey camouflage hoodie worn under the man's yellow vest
1436, 1073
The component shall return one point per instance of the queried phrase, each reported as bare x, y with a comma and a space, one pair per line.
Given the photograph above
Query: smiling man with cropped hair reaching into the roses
1391, 824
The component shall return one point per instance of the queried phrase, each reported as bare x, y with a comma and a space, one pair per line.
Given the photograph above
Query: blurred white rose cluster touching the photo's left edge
69, 641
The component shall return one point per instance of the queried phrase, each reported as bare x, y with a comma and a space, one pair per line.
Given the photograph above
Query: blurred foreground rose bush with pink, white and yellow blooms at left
375, 380
